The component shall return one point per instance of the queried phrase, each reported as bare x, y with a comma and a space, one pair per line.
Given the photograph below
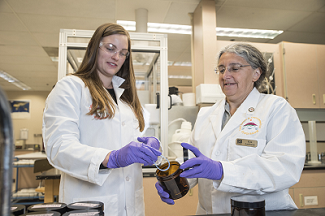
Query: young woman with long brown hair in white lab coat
91, 124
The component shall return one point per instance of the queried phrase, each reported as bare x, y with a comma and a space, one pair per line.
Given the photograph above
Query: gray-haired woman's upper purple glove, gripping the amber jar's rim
201, 166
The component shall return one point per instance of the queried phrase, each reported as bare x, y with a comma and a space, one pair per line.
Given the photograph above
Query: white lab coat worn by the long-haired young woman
77, 143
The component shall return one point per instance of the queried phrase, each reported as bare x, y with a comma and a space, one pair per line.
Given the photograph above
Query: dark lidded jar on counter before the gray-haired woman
247, 205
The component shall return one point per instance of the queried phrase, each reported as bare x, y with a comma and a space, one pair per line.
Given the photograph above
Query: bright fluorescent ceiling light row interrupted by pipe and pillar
186, 29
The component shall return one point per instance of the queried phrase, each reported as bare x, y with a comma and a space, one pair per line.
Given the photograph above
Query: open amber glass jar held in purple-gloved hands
176, 186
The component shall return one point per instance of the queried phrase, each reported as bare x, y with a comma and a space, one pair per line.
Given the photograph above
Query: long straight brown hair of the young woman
102, 103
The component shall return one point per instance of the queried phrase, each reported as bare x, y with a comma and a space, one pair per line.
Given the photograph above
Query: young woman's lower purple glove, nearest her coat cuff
133, 152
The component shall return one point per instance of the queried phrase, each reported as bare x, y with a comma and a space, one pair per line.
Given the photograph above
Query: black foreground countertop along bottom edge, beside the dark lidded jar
298, 212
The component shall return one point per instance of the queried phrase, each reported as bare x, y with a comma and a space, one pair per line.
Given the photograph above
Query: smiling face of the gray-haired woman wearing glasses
236, 85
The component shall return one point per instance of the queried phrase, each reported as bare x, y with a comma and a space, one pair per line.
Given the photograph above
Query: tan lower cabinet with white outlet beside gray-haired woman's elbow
309, 192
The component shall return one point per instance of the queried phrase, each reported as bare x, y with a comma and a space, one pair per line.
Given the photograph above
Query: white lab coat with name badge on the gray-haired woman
268, 169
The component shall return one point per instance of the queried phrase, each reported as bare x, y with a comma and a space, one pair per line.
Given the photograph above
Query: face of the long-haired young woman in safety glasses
108, 64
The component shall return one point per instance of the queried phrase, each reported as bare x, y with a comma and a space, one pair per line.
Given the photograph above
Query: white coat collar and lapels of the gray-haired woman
246, 109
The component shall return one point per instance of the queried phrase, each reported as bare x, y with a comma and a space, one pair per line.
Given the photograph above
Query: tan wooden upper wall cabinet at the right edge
304, 74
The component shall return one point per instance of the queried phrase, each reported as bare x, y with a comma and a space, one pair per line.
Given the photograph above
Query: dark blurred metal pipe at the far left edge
6, 155
